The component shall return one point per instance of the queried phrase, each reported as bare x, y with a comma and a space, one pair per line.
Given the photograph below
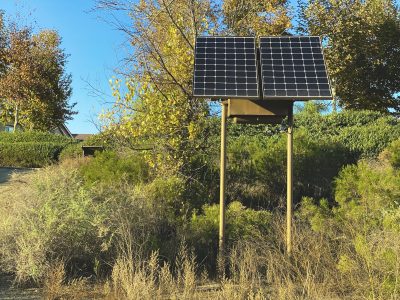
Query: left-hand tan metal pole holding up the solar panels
221, 244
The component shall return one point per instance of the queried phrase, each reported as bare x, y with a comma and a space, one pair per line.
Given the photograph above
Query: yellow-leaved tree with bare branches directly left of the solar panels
158, 109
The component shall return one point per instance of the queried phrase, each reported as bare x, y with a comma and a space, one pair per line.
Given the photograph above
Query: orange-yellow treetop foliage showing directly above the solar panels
255, 17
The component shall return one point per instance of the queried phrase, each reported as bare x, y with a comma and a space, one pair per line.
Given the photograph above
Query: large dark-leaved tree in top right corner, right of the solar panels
362, 42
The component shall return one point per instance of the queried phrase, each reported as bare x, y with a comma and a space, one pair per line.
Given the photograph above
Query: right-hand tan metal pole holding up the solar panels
289, 181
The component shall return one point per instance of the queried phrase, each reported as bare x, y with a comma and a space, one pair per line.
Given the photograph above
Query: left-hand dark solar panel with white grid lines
226, 67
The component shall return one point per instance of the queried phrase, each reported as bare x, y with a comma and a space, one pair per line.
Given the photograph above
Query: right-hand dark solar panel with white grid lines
293, 68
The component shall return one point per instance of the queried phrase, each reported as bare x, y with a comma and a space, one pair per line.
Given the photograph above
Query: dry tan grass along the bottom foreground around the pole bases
259, 269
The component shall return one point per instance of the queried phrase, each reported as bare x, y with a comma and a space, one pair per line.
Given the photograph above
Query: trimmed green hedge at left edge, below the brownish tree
29, 154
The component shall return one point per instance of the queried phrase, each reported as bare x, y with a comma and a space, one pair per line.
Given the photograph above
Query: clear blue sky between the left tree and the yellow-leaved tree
95, 48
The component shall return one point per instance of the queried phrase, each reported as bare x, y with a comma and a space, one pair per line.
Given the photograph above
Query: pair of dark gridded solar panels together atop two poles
290, 67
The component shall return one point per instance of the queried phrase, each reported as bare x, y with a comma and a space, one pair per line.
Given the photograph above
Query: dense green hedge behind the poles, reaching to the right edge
323, 145
